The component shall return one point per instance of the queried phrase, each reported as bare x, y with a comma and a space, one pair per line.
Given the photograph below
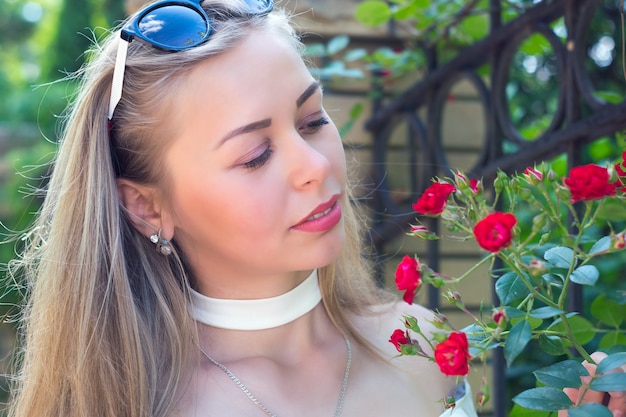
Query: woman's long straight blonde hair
106, 329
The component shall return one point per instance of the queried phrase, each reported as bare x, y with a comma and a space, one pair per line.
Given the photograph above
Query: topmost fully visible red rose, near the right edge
589, 182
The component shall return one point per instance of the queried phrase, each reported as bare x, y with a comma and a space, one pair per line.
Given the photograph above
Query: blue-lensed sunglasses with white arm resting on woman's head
170, 25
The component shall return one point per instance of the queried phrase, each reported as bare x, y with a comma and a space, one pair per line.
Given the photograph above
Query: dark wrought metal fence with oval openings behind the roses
579, 118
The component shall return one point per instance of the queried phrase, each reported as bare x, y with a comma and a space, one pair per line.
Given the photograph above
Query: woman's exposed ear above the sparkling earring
145, 207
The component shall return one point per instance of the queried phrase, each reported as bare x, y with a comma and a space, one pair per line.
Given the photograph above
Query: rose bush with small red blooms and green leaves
538, 268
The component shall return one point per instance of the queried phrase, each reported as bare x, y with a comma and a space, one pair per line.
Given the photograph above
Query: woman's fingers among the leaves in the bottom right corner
615, 401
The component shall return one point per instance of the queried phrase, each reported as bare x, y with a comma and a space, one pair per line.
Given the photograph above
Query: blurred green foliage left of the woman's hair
33, 96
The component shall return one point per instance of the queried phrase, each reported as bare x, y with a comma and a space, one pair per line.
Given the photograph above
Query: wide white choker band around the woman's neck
260, 314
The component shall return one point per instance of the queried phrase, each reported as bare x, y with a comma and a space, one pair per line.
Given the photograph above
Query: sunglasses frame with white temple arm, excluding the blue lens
131, 31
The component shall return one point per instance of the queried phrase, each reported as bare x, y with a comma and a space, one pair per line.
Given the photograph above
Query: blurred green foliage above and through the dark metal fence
431, 33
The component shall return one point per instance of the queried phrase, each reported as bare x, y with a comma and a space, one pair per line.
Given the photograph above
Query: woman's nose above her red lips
308, 161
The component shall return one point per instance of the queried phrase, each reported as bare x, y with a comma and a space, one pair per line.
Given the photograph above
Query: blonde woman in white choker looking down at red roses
196, 254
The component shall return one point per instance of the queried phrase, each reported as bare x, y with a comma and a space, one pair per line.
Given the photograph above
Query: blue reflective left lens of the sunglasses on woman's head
174, 27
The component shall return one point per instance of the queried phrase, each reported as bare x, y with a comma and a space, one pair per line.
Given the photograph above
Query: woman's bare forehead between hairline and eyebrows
261, 74
